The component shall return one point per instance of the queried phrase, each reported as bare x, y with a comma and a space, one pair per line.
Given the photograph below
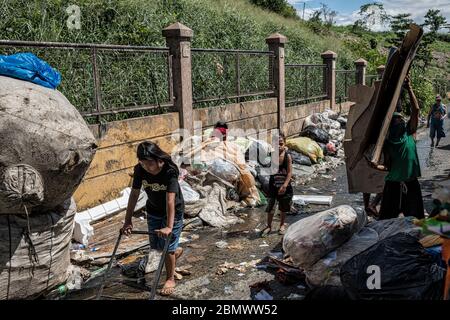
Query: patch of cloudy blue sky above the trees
348, 9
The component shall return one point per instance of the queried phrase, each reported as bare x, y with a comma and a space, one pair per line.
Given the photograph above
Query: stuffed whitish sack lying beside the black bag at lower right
311, 238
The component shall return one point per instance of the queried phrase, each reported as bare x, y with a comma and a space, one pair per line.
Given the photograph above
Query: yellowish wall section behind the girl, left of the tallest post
110, 171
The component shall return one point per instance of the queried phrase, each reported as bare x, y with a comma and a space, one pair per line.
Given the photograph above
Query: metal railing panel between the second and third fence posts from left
305, 82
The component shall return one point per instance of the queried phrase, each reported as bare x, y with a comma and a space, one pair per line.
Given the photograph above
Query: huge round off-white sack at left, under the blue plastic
46, 147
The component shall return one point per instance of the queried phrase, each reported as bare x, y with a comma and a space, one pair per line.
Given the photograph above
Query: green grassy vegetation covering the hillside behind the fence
135, 79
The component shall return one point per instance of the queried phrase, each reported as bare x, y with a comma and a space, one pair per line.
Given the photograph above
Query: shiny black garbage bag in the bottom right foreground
406, 272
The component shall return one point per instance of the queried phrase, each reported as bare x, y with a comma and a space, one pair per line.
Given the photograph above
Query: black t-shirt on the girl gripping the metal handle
156, 187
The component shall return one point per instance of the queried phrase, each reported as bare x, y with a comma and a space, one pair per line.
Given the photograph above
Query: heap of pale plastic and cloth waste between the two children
216, 180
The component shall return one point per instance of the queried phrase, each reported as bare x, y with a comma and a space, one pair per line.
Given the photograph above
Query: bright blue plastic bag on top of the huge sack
28, 67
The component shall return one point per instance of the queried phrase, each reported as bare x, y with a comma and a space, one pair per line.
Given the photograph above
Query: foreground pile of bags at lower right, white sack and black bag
339, 248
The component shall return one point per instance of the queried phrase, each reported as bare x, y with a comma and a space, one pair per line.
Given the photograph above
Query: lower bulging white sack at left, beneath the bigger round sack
31, 263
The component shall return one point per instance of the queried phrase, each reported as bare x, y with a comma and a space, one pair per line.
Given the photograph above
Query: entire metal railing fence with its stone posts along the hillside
115, 82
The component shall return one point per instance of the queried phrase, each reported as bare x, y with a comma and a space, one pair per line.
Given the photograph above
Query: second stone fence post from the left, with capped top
276, 44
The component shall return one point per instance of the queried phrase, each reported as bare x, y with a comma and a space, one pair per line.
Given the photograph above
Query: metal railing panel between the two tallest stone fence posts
228, 75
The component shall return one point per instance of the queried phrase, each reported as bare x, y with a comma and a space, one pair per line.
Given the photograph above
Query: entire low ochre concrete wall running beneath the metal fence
112, 167
